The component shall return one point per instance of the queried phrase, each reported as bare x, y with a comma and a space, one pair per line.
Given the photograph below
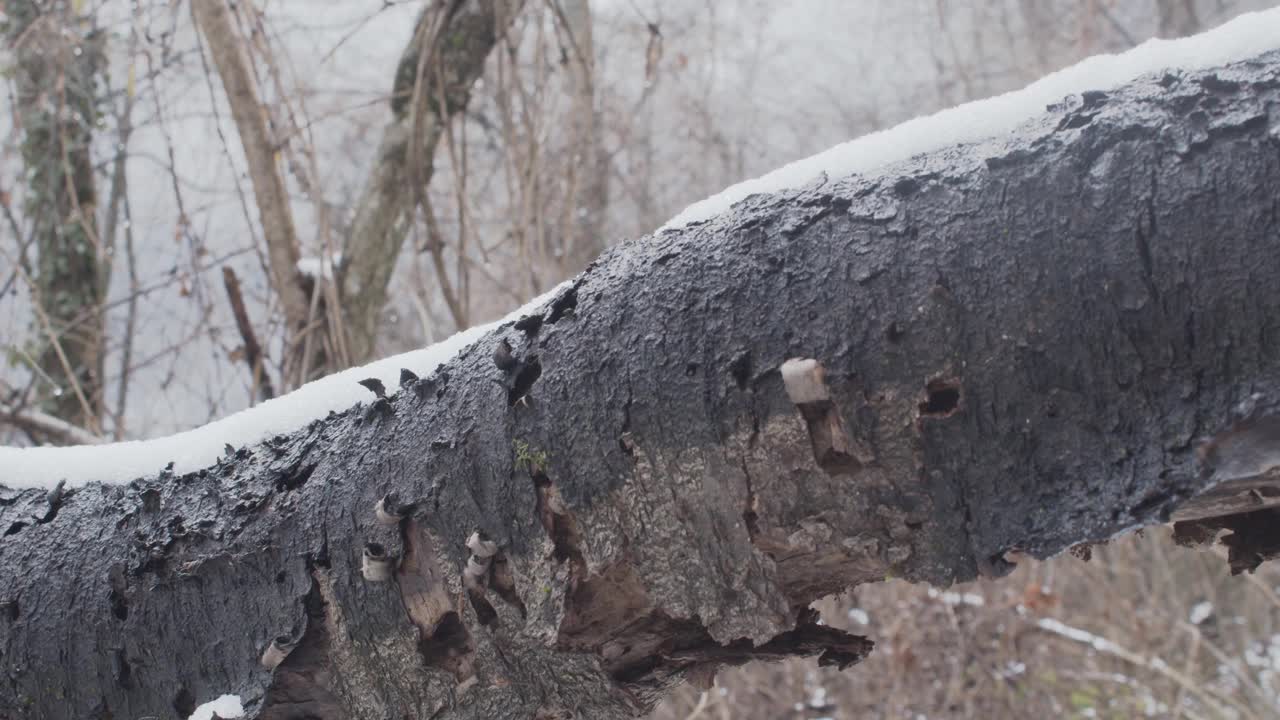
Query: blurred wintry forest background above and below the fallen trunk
207, 204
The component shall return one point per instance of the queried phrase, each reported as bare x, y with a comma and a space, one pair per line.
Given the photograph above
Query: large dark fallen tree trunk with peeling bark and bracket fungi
1022, 345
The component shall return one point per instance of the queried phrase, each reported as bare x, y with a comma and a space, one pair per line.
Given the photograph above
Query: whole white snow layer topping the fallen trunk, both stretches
44, 467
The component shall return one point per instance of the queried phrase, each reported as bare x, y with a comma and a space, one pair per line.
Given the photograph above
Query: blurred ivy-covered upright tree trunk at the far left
57, 61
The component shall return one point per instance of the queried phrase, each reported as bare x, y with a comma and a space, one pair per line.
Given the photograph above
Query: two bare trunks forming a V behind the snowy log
333, 316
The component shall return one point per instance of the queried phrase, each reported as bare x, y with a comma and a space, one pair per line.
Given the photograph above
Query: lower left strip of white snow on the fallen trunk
200, 448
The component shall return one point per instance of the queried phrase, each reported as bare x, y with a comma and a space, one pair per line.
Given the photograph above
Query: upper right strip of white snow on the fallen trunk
1241, 39
